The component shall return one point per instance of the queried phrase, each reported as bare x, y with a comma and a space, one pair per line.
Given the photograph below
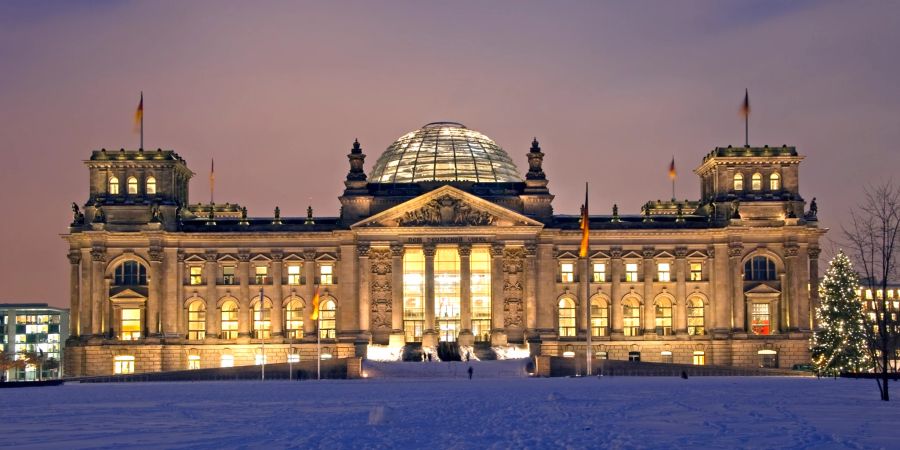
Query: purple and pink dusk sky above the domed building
276, 92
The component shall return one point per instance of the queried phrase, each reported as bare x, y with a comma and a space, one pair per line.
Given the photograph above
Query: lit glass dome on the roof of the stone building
444, 151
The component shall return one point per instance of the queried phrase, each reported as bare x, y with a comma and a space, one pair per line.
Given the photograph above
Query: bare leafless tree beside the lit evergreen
873, 234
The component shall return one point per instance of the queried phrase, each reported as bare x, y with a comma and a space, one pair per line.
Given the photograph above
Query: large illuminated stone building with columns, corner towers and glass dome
443, 240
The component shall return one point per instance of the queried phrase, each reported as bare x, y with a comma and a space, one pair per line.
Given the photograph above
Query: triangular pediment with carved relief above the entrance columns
447, 206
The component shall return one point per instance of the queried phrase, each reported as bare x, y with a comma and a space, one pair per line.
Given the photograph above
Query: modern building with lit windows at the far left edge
36, 331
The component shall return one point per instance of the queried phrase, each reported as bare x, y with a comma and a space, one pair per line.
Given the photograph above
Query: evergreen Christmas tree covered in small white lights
839, 345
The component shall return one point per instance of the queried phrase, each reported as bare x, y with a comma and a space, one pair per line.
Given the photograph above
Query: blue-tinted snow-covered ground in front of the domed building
615, 412
